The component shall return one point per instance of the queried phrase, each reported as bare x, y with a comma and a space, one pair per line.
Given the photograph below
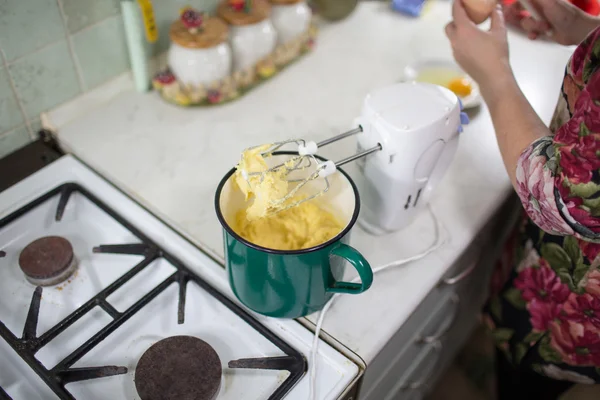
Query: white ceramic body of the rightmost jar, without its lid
290, 20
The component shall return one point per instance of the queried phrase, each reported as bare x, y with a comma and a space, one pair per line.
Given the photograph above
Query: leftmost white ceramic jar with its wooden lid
200, 56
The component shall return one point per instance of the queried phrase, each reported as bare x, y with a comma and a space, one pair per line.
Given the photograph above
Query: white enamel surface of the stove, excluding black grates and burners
86, 226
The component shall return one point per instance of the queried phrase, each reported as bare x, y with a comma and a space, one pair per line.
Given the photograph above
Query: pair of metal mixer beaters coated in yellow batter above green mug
301, 162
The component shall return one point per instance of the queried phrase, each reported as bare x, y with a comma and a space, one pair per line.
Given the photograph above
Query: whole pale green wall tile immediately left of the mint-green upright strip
102, 51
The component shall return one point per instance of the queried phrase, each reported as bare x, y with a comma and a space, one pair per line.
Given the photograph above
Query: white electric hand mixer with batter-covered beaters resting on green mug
409, 131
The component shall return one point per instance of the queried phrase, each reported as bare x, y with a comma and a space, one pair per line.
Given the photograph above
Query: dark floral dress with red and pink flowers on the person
546, 313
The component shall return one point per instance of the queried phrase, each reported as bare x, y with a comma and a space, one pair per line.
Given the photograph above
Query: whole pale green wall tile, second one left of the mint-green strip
45, 79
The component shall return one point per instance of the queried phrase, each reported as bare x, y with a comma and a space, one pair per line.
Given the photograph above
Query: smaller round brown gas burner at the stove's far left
48, 261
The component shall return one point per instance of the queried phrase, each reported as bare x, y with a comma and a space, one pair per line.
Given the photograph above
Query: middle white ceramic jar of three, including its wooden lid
252, 35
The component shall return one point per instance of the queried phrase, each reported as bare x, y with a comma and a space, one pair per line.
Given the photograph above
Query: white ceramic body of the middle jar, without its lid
251, 43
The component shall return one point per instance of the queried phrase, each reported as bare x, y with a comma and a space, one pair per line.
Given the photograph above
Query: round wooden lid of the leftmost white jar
205, 33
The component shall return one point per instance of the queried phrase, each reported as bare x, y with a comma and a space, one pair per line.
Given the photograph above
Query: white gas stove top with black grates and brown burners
99, 299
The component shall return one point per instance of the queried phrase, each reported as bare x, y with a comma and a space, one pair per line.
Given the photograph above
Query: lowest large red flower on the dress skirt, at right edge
576, 343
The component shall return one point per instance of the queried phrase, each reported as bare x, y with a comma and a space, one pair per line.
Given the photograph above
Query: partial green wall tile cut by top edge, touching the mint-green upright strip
82, 13
